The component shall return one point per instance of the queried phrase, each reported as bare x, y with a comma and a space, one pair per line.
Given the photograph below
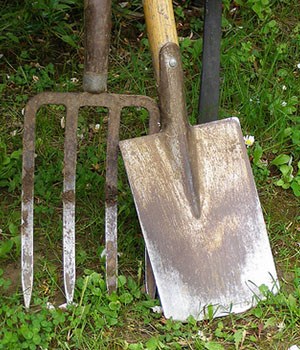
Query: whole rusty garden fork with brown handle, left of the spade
97, 22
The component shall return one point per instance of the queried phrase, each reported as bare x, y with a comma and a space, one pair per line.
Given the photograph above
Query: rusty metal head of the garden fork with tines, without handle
72, 101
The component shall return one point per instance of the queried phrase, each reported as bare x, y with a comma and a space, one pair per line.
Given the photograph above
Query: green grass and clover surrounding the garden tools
42, 47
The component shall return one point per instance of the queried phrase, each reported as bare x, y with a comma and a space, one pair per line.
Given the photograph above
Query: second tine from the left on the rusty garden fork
69, 202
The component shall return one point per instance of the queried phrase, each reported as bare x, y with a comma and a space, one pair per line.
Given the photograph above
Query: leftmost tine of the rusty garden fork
27, 203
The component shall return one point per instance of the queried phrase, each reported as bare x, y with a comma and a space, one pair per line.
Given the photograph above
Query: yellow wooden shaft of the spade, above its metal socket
161, 27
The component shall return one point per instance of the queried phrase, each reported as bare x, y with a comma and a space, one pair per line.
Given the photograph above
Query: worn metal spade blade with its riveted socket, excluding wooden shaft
198, 208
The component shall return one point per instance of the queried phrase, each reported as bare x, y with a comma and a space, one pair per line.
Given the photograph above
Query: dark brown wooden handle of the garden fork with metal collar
97, 15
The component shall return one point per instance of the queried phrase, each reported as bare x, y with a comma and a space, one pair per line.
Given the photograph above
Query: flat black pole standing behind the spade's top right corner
210, 74
